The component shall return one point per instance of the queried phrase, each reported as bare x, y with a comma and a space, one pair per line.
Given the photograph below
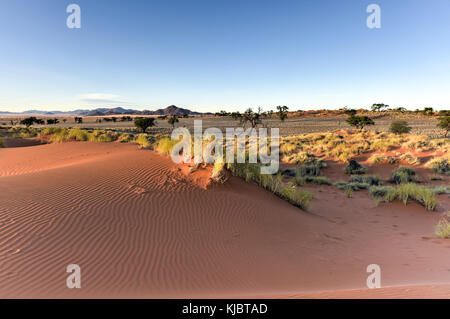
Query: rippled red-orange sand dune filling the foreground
138, 228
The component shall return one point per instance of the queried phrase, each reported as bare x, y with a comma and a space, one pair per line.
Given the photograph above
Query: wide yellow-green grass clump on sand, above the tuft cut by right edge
404, 193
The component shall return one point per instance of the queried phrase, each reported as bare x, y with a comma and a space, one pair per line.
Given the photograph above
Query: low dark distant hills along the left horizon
170, 110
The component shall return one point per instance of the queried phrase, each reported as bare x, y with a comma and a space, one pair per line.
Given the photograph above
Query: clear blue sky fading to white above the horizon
216, 54
